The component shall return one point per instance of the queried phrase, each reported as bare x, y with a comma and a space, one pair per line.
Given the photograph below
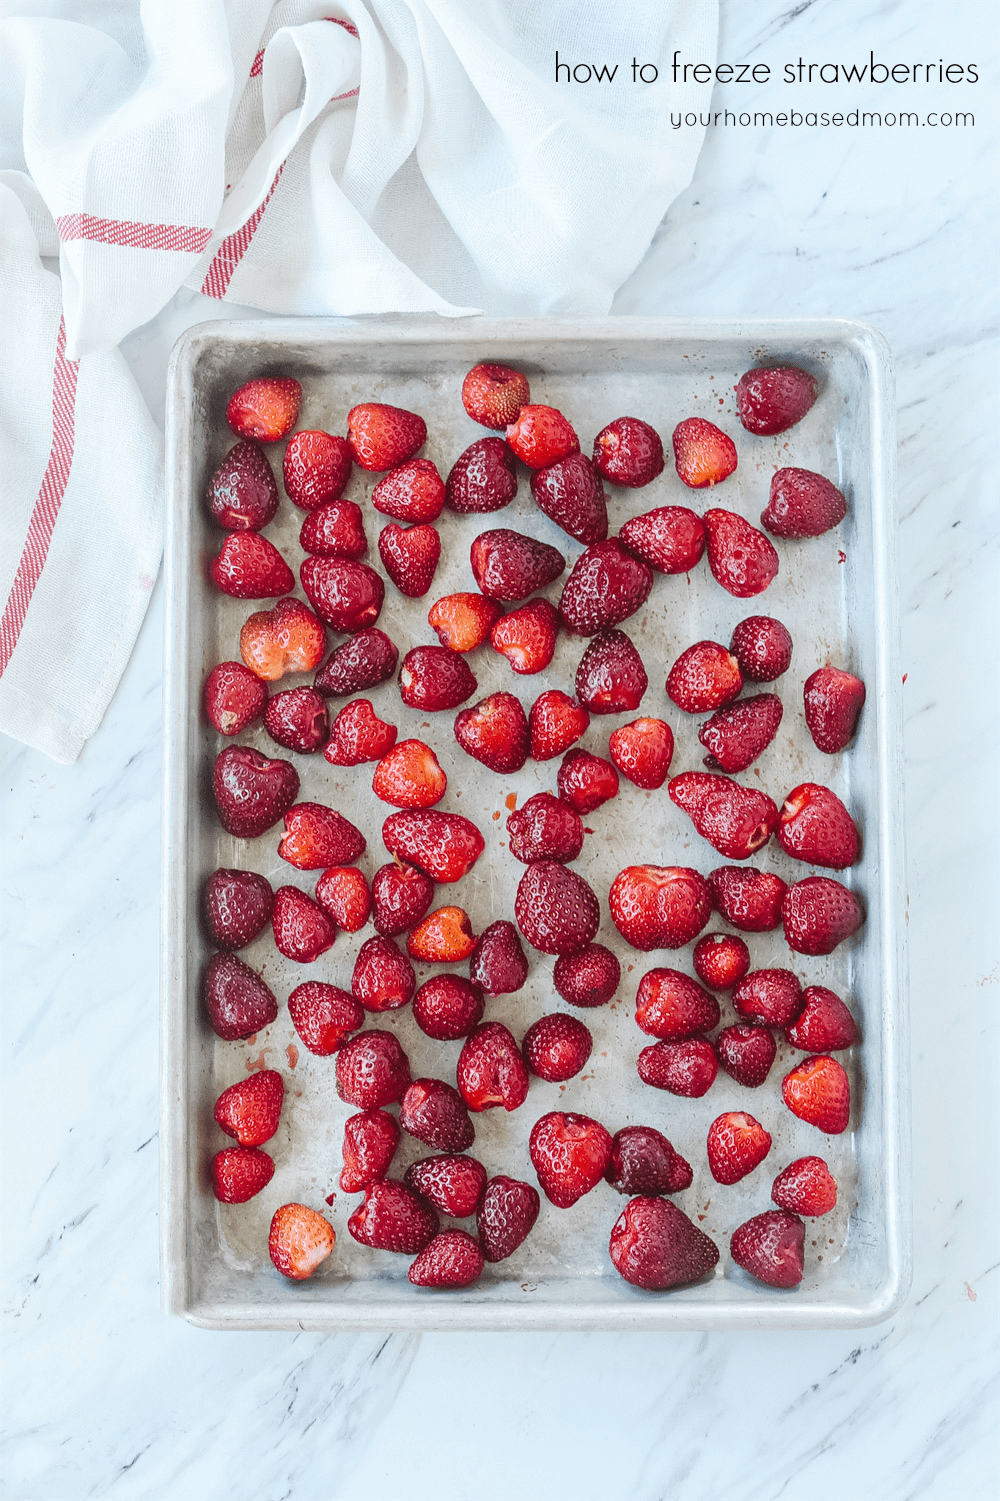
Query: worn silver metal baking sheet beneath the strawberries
839, 598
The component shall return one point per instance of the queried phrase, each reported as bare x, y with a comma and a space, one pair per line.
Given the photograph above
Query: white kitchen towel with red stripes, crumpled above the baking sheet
363, 157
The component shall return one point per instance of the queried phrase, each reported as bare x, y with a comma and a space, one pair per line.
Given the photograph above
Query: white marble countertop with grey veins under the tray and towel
107, 1397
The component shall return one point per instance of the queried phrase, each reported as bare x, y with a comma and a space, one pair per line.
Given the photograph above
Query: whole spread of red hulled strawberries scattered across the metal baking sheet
525, 600
